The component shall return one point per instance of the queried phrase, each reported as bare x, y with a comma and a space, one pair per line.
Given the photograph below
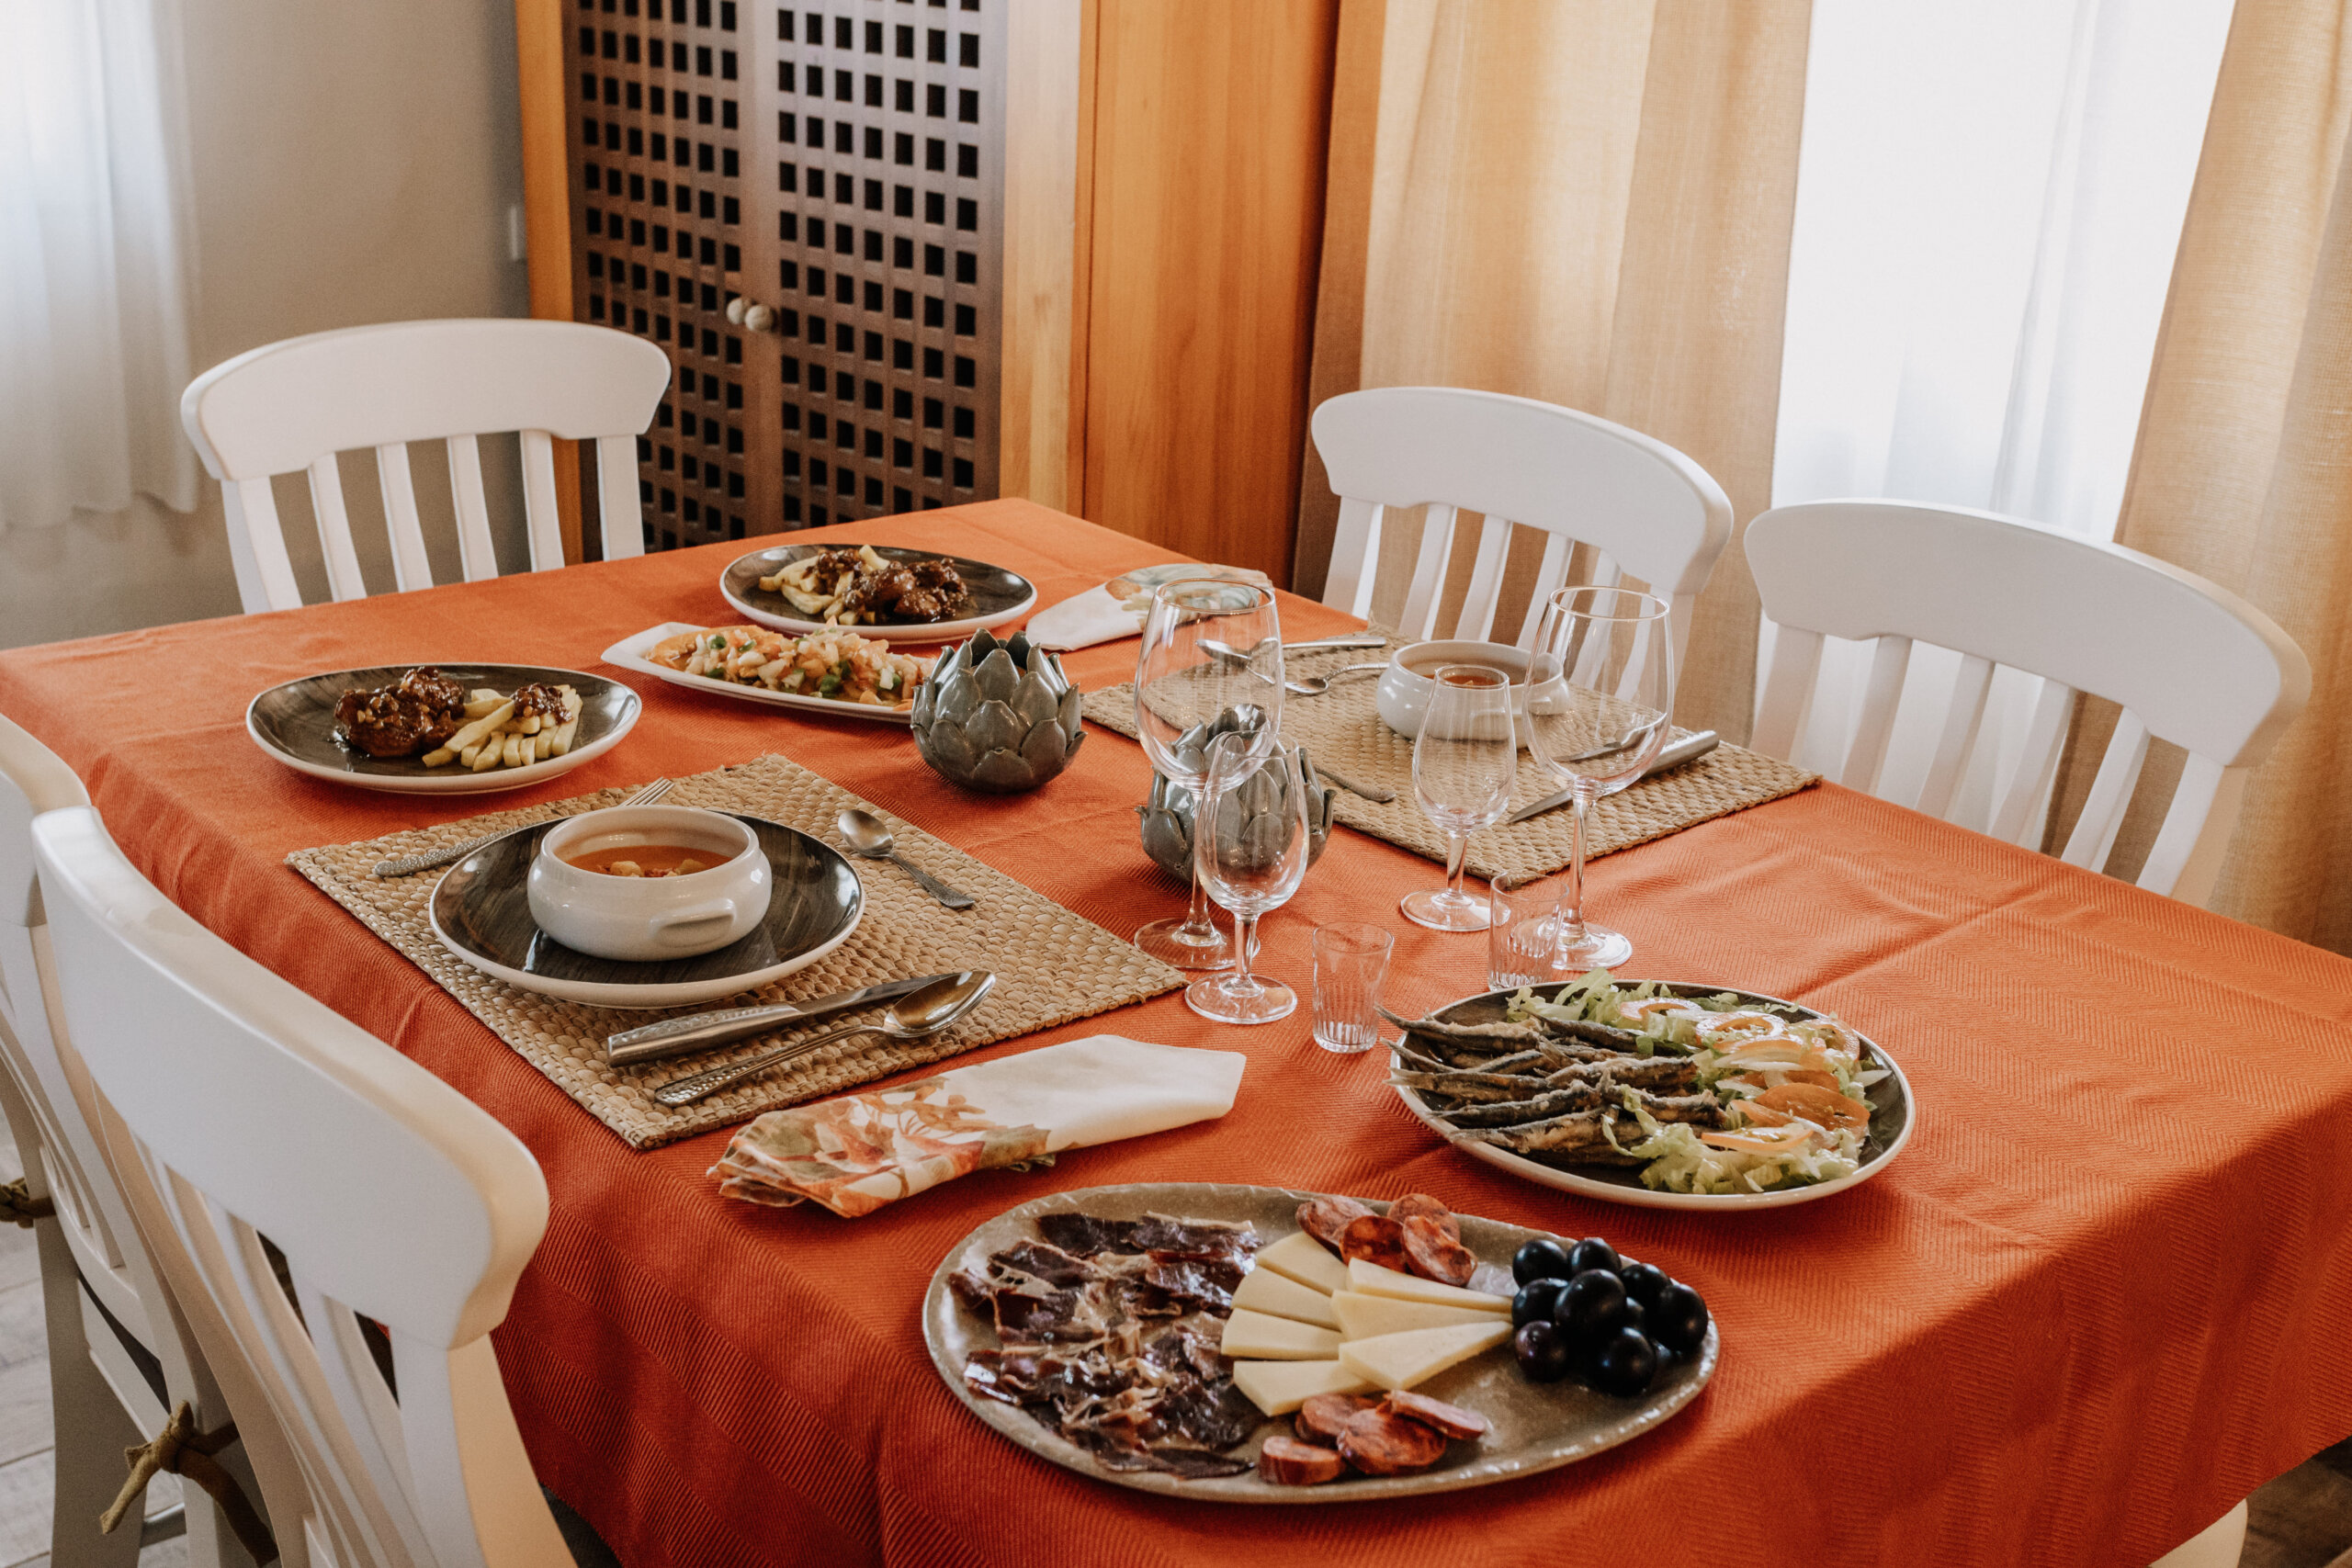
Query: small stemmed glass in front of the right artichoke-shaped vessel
1250, 847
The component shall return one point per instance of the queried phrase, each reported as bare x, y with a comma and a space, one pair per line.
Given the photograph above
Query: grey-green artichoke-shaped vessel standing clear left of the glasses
998, 716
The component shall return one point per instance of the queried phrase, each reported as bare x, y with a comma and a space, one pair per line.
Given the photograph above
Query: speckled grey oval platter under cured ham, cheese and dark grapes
1535, 1426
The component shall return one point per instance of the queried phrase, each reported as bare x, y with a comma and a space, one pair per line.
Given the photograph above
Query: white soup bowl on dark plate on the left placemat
650, 918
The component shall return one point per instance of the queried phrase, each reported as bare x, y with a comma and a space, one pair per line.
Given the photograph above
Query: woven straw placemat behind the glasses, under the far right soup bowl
1344, 730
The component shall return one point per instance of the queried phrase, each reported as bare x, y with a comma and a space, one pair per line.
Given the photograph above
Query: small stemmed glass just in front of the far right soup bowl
1464, 765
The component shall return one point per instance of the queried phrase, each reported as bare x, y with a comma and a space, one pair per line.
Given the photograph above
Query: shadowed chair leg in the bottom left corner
93, 1428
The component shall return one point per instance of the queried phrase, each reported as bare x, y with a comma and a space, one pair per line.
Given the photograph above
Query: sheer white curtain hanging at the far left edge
93, 260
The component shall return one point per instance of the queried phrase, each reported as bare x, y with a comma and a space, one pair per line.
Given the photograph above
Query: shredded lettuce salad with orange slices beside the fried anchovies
1793, 1087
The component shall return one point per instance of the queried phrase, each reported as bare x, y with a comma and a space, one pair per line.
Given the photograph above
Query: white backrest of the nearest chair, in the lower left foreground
392, 1200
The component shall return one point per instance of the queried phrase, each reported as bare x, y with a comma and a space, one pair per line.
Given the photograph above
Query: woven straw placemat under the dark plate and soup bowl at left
1050, 965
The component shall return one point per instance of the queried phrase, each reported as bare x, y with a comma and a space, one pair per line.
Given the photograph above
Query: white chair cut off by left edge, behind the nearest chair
121, 1353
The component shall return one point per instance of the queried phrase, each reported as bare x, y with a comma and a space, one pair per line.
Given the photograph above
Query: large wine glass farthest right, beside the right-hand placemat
1598, 704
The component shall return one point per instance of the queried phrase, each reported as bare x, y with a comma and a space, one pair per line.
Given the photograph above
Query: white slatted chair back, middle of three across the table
1650, 511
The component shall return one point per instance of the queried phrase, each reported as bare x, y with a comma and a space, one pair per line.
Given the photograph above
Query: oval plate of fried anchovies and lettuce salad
1657, 1094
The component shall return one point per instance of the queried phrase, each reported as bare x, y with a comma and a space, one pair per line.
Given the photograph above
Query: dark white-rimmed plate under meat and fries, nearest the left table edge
295, 725
